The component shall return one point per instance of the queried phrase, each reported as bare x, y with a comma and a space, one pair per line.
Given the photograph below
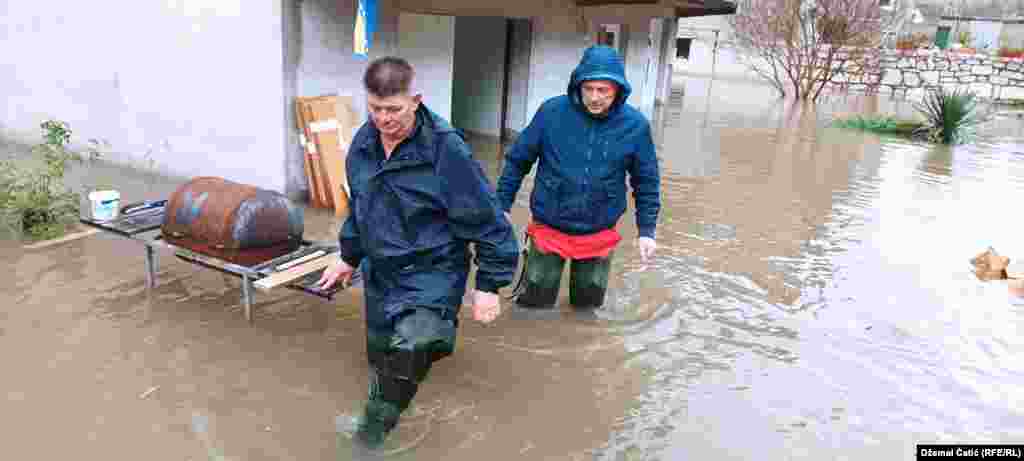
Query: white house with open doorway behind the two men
215, 82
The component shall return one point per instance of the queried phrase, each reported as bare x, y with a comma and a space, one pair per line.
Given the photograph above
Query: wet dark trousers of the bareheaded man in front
400, 361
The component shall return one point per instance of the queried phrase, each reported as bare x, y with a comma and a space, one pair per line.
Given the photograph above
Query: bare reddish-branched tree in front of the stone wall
801, 47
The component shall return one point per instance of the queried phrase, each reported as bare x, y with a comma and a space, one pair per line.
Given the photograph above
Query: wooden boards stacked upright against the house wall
326, 125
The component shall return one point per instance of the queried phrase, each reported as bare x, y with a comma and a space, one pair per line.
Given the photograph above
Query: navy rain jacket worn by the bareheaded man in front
413, 217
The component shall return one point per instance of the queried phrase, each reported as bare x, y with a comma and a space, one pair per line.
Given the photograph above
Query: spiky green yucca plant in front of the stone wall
951, 117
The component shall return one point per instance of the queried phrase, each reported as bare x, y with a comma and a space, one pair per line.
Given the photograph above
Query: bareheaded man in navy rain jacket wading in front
418, 200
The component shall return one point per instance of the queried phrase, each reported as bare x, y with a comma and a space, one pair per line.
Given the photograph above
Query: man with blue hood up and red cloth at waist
585, 144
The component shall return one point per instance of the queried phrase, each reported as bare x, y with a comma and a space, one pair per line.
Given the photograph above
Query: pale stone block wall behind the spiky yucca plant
910, 74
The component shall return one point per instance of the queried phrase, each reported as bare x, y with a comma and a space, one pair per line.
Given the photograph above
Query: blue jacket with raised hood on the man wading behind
580, 186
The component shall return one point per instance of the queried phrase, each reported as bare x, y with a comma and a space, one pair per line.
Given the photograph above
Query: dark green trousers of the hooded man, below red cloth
588, 280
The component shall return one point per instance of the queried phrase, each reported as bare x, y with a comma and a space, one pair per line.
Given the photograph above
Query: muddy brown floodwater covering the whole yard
812, 299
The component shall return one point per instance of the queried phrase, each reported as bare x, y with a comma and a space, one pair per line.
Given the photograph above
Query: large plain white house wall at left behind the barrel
200, 81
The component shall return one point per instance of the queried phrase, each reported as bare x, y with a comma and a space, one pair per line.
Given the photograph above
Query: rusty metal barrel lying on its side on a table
238, 223
